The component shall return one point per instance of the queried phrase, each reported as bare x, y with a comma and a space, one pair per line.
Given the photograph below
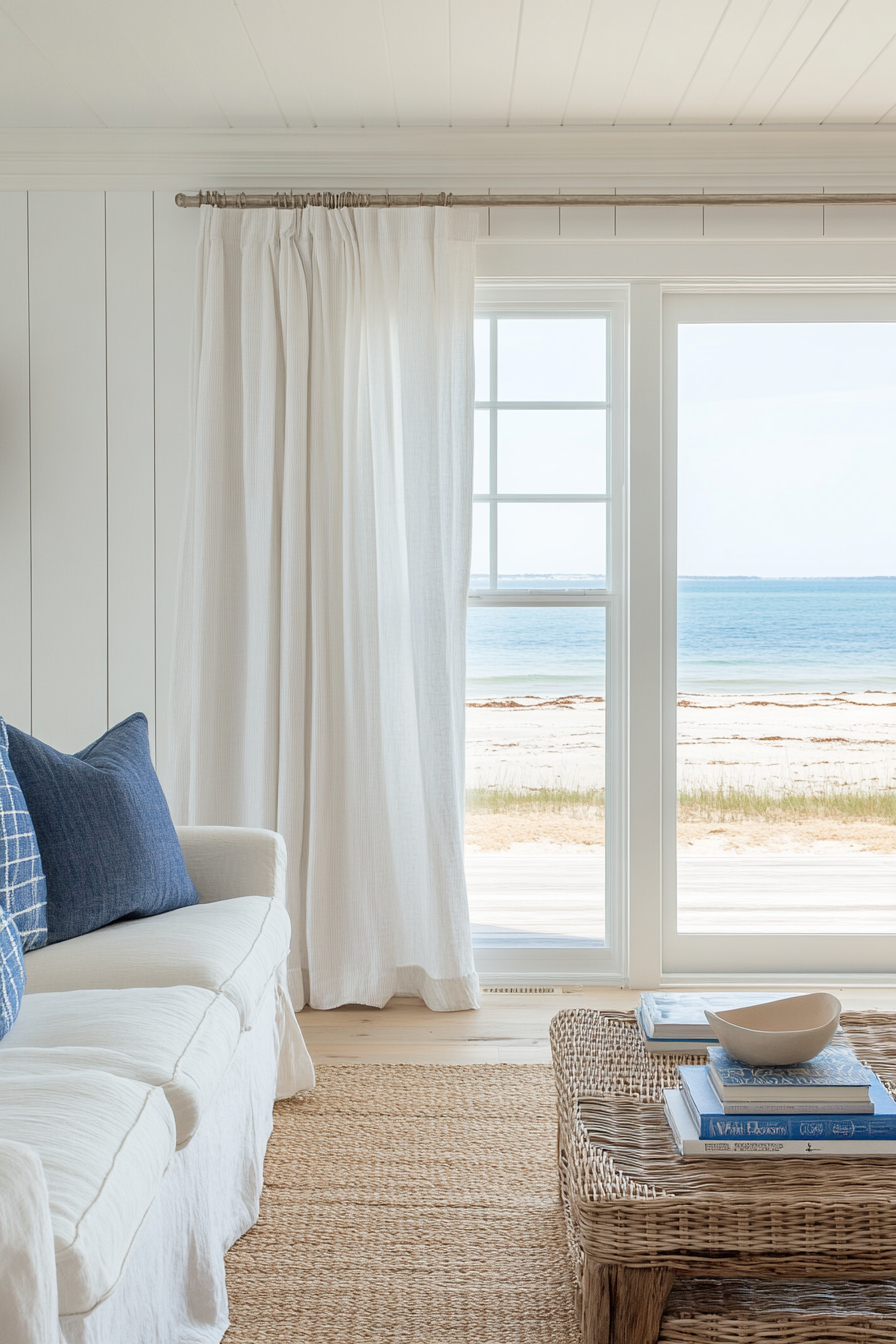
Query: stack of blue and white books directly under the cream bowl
831, 1107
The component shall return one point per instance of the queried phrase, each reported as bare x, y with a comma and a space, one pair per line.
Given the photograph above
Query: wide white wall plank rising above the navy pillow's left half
68, 287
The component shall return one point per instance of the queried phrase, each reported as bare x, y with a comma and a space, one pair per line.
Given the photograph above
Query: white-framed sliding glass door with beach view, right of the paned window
780, 635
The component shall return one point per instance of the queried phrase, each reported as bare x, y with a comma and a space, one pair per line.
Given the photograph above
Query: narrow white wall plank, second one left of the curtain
132, 486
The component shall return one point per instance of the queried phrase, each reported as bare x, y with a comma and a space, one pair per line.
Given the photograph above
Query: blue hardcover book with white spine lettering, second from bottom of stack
713, 1123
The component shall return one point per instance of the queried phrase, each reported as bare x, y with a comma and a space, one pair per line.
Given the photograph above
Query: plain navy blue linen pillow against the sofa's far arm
107, 839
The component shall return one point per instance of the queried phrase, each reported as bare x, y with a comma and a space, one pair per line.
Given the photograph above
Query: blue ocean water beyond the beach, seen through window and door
734, 635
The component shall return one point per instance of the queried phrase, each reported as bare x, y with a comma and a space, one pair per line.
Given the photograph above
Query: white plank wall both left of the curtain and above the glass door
96, 317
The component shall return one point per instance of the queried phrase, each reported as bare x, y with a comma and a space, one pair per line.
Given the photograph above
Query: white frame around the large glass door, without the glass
719, 959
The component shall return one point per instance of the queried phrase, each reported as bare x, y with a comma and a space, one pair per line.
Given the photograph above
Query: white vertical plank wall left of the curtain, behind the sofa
96, 307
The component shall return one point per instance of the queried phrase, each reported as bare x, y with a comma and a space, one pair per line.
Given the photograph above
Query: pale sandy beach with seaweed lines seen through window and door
781, 745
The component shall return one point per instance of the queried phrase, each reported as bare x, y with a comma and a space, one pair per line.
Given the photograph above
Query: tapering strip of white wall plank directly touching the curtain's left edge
175, 252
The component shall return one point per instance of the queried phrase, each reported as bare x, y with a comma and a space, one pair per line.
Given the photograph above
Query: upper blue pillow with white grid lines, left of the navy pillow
24, 889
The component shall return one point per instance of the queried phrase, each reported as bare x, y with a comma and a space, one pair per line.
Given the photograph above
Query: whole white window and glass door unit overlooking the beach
682, 636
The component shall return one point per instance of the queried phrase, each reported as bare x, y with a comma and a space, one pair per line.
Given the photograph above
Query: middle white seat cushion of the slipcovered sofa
181, 1040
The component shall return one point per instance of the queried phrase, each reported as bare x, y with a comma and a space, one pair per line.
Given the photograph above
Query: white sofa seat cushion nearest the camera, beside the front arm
105, 1144
